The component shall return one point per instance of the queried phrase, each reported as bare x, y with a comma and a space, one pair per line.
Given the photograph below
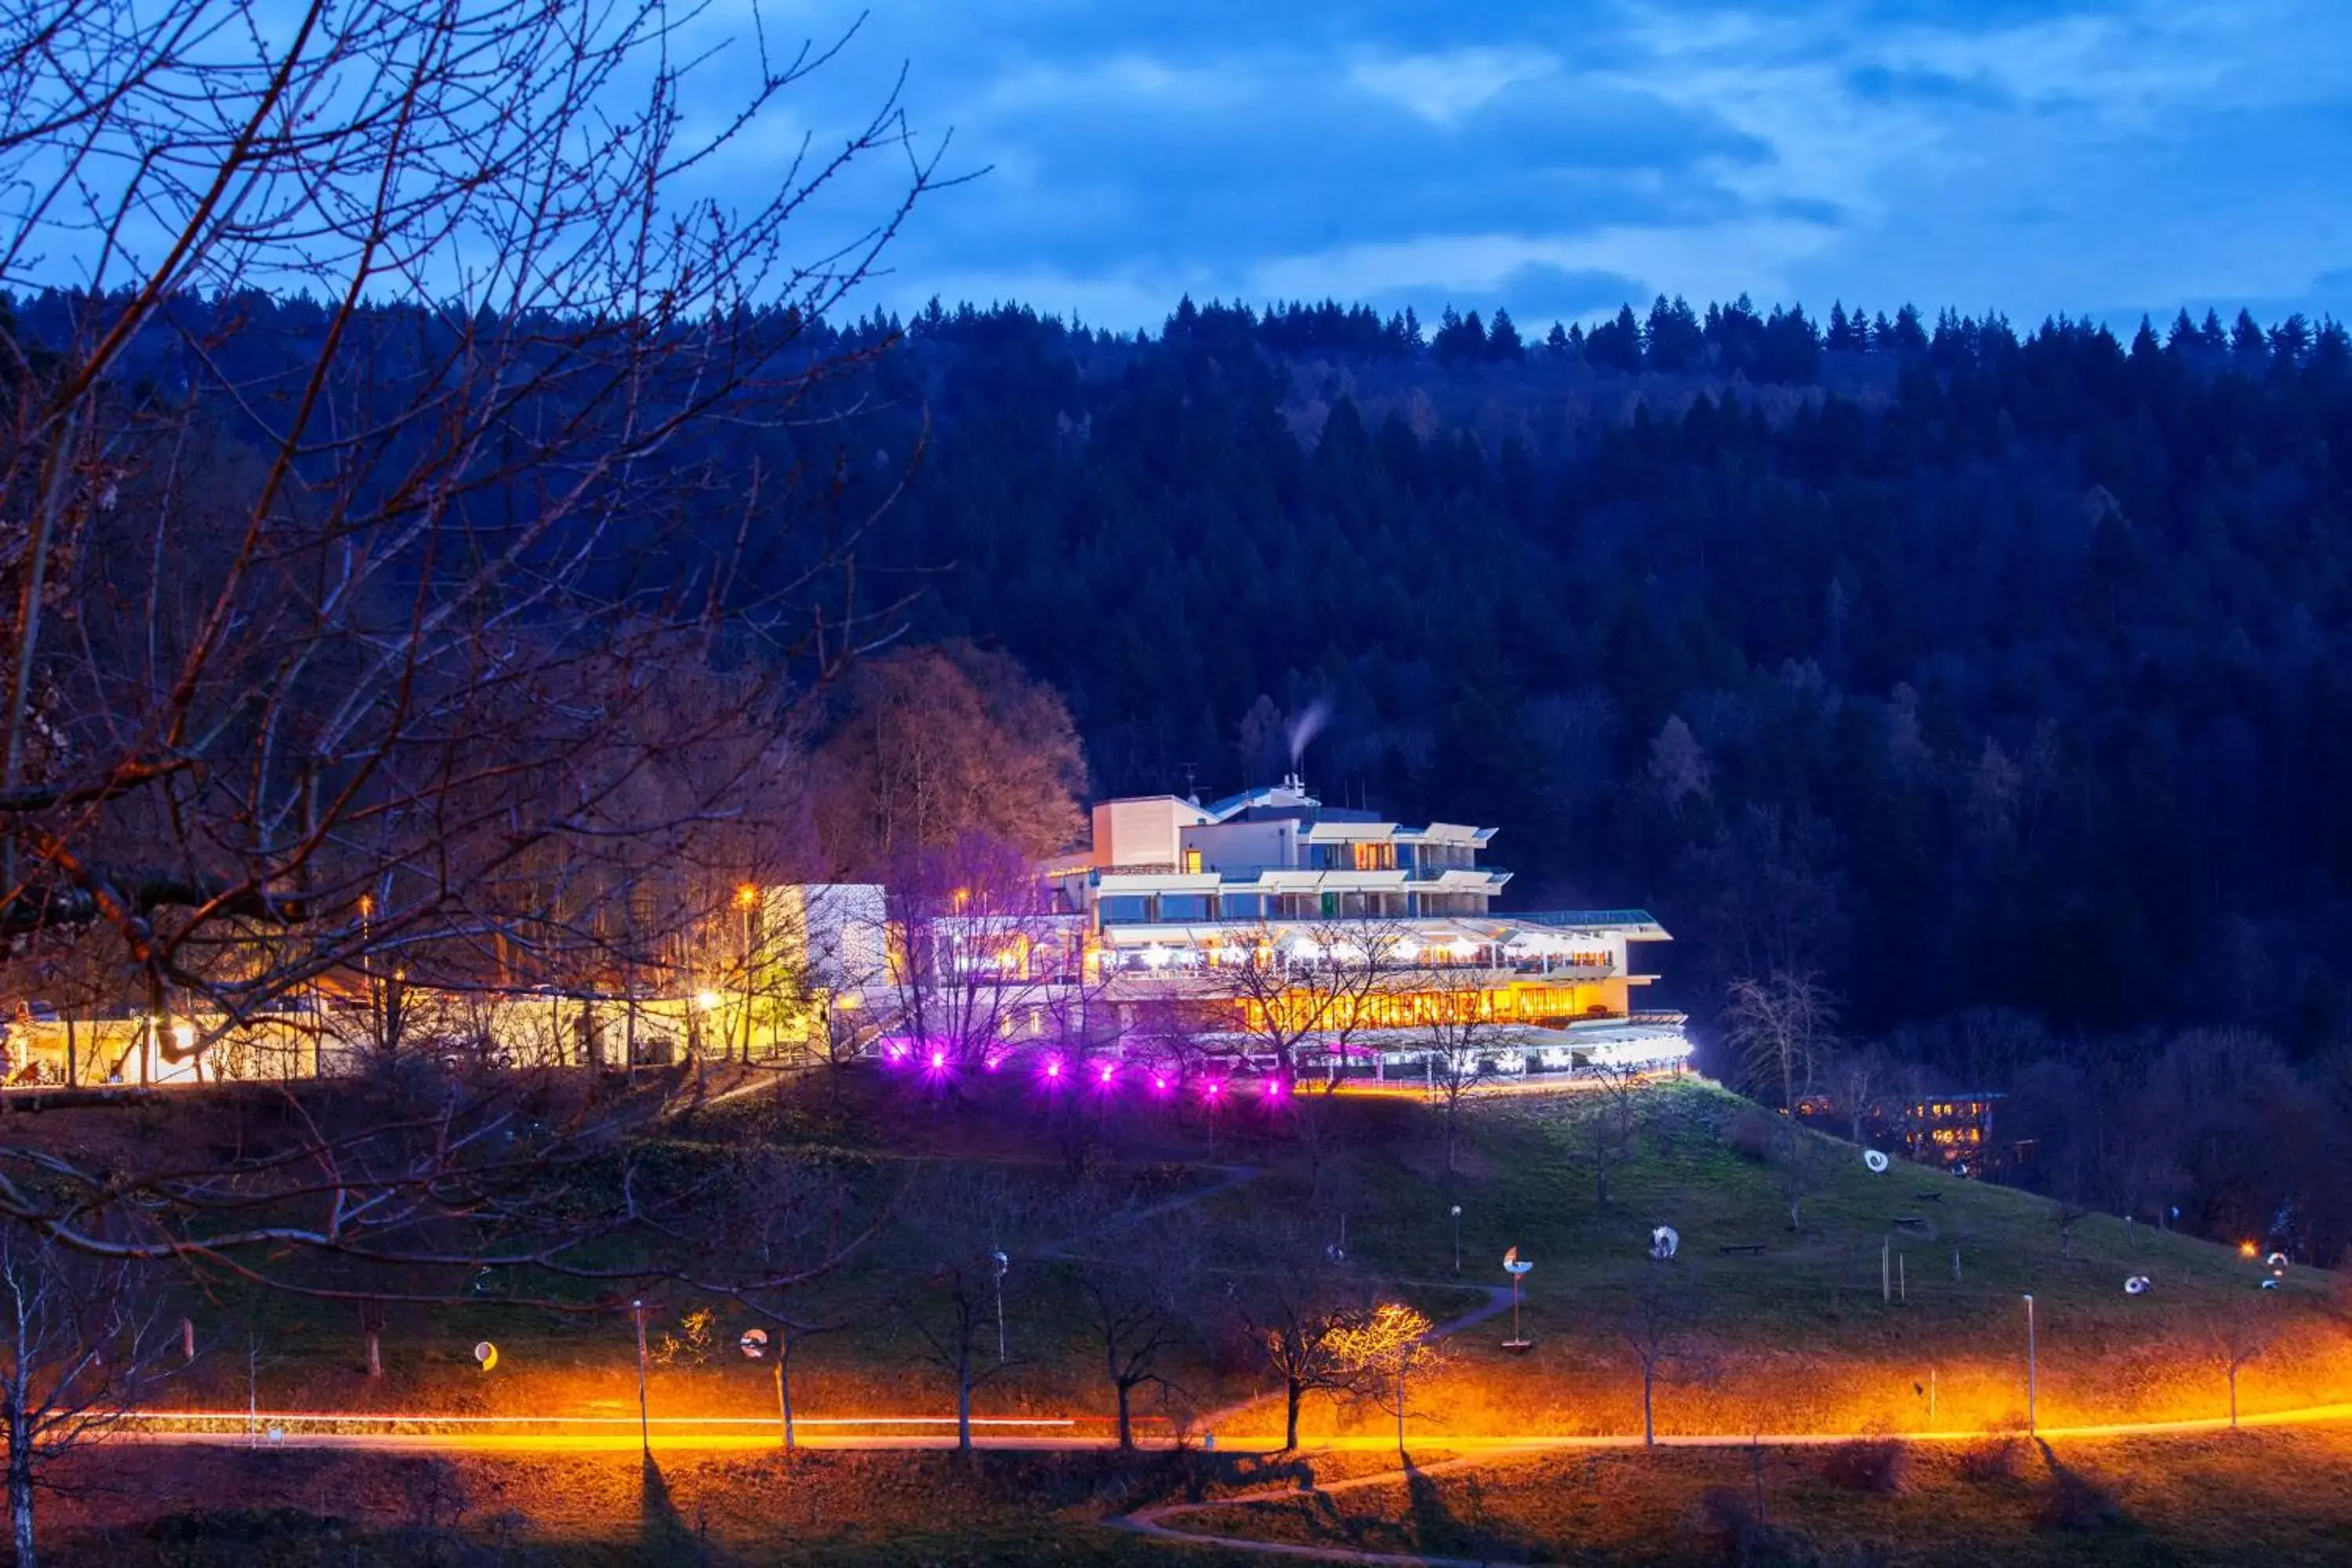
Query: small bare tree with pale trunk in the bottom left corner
79, 1348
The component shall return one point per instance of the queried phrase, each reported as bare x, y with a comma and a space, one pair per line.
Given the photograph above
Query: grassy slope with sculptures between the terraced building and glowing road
1791, 1336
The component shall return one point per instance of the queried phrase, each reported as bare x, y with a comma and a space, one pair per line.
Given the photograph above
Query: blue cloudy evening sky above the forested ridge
2109, 156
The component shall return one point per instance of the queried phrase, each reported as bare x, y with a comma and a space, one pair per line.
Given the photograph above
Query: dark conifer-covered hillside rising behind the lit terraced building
1963, 666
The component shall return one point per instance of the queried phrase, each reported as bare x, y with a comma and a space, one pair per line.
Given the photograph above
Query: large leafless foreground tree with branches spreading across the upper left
415, 645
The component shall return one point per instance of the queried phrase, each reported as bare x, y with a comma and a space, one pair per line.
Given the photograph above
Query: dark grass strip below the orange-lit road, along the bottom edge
2233, 1499
